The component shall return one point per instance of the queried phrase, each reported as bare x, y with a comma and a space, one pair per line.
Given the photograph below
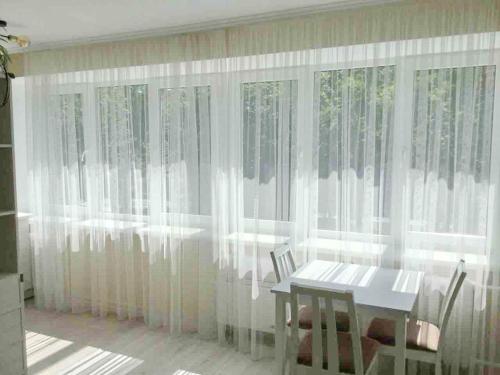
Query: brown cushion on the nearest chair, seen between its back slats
369, 348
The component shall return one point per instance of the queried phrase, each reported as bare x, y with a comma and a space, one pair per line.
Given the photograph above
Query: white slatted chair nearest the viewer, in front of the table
329, 352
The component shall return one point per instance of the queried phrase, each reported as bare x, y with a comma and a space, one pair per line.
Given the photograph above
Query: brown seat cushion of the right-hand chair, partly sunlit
420, 335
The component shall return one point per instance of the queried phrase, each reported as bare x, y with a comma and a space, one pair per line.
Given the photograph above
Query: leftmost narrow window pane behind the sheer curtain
67, 116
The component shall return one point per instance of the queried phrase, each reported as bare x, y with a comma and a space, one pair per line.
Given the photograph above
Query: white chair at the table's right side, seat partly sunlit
425, 341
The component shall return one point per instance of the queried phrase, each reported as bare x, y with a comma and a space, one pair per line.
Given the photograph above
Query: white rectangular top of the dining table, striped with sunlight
373, 287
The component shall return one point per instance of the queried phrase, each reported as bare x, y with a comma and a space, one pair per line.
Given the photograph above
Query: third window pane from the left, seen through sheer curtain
185, 149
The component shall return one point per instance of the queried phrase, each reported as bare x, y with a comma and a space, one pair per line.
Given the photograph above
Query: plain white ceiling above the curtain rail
54, 22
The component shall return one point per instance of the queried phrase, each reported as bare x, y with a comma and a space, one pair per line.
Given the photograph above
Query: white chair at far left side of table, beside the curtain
284, 266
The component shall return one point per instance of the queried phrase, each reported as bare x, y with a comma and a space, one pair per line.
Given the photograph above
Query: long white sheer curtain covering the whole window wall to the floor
163, 171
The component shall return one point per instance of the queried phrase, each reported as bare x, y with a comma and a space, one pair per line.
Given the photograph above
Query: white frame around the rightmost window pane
473, 244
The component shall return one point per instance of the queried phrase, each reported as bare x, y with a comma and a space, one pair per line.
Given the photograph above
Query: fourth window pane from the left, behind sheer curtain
269, 117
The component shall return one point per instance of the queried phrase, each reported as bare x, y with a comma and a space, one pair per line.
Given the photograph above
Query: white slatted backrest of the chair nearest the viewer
330, 299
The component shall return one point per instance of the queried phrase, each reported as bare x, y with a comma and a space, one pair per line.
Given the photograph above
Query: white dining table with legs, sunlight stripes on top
381, 292
